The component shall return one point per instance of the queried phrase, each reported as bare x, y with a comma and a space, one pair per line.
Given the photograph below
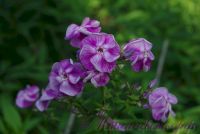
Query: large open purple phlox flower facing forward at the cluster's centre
99, 52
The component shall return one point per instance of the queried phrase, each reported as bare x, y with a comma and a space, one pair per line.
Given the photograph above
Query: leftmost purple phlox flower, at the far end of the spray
26, 97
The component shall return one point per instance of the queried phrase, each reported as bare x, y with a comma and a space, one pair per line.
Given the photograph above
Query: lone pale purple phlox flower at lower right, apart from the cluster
160, 101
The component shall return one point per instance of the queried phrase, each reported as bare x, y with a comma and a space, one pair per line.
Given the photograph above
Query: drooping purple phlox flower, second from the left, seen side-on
47, 96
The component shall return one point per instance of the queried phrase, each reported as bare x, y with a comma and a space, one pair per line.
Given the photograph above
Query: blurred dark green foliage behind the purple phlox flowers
32, 39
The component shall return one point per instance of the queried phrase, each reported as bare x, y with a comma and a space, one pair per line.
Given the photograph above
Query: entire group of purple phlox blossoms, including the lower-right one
97, 55
